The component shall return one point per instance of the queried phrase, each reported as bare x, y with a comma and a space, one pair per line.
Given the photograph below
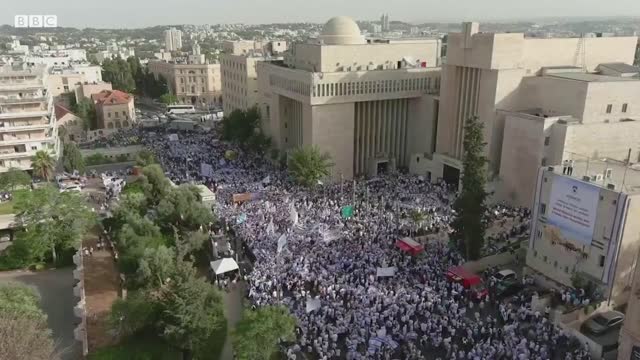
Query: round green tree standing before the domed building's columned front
307, 165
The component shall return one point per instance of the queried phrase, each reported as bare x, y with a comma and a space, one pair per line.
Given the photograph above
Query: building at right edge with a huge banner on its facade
587, 225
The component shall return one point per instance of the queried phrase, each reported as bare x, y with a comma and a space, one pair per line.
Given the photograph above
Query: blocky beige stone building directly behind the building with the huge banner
566, 114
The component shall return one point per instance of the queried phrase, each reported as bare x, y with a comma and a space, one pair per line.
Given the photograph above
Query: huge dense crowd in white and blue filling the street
324, 265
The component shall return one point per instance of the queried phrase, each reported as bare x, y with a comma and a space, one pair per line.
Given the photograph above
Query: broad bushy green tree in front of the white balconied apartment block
52, 220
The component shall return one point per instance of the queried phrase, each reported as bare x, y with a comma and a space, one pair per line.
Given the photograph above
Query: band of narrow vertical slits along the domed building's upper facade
375, 87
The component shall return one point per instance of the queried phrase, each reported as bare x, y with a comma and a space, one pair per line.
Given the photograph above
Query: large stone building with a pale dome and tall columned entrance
369, 104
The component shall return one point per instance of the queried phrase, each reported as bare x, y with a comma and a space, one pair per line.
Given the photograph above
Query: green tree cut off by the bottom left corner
24, 334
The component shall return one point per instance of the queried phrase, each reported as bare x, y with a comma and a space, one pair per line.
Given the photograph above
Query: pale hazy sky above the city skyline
141, 13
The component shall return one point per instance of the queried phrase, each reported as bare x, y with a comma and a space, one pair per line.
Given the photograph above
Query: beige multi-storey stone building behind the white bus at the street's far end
199, 84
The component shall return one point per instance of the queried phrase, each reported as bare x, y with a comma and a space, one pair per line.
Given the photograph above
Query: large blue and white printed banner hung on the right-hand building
572, 208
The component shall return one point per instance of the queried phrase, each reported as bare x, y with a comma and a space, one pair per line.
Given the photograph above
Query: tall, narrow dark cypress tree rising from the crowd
468, 225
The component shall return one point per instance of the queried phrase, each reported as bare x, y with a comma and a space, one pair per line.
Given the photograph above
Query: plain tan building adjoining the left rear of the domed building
238, 69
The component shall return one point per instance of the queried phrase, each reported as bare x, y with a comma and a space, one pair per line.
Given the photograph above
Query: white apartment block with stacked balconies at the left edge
27, 118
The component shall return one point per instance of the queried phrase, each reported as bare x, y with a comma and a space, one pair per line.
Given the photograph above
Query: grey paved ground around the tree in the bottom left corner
57, 300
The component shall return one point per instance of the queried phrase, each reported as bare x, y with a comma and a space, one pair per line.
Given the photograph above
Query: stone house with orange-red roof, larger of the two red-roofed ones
114, 109
